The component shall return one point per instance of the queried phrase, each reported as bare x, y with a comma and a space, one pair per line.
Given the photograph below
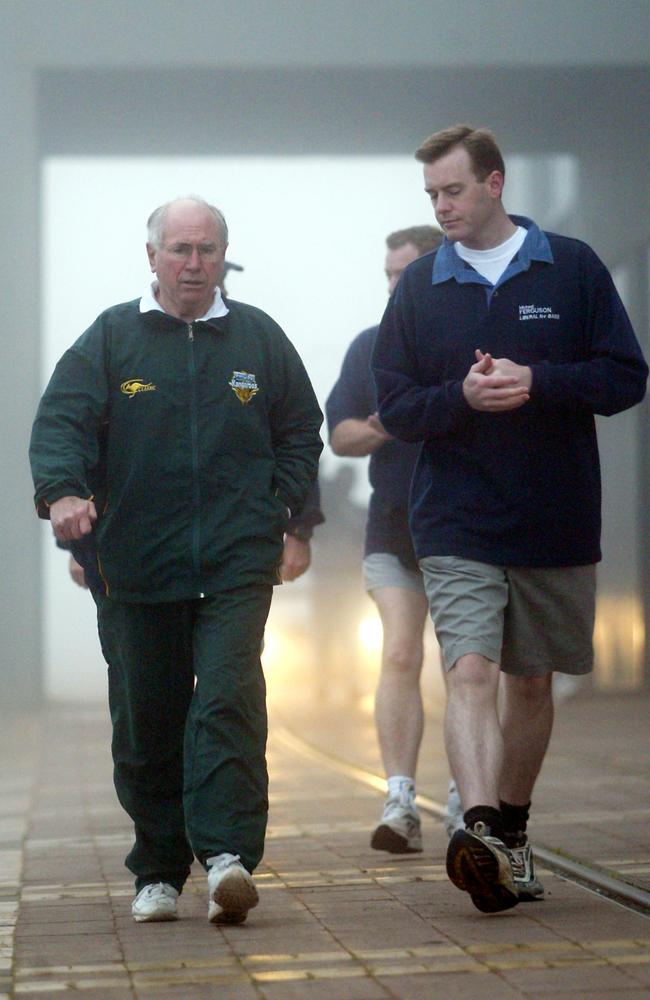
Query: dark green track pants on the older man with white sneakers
189, 759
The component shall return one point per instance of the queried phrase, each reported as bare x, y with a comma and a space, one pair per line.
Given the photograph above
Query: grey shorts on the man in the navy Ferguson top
532, 621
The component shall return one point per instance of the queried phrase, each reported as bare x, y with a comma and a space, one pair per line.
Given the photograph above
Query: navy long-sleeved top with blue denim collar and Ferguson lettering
522, 487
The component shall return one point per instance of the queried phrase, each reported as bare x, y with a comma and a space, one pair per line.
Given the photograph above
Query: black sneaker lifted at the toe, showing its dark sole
481, 865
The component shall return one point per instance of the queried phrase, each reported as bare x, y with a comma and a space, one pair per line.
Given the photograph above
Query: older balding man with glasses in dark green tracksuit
211, 432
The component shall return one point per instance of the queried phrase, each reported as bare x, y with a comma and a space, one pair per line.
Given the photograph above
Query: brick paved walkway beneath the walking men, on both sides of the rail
336, 921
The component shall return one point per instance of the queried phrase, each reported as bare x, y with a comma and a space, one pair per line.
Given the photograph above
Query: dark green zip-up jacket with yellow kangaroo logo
211, 433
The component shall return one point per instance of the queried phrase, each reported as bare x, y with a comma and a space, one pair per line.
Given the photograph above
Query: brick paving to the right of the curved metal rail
592, 799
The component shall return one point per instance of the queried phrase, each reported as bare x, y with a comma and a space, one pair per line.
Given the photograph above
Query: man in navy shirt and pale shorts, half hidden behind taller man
391, 573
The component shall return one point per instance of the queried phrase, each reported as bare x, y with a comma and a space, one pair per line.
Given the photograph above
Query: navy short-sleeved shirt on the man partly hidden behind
391, 465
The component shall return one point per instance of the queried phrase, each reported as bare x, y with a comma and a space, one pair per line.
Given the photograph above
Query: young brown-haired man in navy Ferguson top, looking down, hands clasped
495, 352
